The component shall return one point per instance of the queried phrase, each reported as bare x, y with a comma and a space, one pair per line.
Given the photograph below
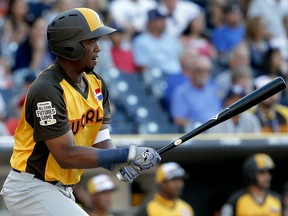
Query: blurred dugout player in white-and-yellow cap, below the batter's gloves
170, 182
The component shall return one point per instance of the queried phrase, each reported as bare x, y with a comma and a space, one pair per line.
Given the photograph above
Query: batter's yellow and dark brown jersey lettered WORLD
54, 105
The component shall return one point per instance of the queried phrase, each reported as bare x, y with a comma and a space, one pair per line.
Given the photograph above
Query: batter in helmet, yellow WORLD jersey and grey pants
67, 113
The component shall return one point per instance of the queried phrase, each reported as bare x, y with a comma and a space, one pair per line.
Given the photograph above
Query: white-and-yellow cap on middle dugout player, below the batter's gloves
168, 171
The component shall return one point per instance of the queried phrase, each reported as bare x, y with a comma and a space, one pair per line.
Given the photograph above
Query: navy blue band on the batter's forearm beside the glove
107, 157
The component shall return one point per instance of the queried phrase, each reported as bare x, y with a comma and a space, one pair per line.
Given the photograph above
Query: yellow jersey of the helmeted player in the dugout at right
243, 203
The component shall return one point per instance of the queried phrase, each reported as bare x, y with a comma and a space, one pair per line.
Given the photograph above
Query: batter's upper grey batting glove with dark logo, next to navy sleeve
143, 157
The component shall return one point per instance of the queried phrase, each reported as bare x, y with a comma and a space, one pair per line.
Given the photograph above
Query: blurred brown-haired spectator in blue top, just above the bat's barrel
257, 41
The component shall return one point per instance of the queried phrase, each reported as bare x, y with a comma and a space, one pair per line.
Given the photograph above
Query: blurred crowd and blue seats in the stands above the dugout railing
171, 66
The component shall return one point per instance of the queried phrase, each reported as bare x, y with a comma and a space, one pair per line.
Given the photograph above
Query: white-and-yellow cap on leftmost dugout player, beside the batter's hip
100, 183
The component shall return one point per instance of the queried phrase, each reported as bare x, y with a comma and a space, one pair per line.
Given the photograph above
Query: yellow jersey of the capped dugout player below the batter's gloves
161, 206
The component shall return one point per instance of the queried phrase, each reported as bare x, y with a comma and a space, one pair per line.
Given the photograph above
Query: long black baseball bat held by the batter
234, 109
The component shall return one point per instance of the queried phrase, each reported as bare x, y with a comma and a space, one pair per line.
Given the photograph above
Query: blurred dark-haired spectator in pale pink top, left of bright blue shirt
194, 37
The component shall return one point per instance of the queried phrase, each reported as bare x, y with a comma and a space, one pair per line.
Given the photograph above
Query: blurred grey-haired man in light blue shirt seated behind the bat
194, 102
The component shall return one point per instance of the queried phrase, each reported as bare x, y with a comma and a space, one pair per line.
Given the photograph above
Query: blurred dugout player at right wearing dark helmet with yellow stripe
256, 198
